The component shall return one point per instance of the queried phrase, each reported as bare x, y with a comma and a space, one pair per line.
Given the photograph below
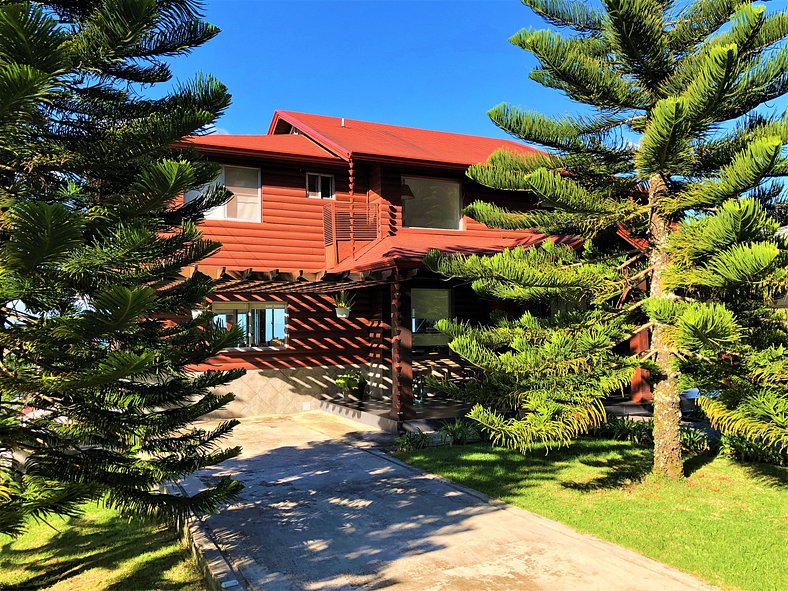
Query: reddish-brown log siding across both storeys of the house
290, 237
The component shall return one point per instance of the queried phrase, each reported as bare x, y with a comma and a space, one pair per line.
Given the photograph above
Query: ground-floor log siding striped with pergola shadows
315, 336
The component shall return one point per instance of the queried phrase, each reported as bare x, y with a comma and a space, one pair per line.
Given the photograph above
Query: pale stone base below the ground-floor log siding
286, 391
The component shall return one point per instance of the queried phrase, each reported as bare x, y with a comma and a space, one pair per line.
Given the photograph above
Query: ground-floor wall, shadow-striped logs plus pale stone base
320, 347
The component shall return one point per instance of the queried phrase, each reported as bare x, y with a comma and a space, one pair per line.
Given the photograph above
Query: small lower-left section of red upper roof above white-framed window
269, 145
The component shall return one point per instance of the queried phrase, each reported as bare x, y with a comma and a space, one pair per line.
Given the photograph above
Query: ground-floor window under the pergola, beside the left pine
263, 324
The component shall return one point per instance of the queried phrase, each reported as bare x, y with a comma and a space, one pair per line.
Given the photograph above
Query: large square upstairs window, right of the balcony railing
430, 203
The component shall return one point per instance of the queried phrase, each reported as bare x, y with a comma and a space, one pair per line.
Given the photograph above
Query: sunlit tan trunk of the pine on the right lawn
667, 410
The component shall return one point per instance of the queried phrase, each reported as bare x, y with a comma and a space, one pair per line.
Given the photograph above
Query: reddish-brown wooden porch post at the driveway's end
401, 346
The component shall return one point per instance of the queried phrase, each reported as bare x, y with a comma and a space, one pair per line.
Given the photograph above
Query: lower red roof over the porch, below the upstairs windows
406, 249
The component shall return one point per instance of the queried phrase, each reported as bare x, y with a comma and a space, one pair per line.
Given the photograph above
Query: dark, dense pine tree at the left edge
93, 237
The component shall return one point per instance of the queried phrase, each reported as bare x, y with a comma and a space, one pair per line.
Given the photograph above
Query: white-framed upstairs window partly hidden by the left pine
245, 204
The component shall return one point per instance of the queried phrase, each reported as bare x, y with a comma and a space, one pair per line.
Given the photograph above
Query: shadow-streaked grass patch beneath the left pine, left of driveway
99, 551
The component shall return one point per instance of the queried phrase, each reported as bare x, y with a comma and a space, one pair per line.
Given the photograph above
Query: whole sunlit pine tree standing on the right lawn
679, 155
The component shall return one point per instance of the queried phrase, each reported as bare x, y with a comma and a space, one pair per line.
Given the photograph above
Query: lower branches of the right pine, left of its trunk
545, 376
